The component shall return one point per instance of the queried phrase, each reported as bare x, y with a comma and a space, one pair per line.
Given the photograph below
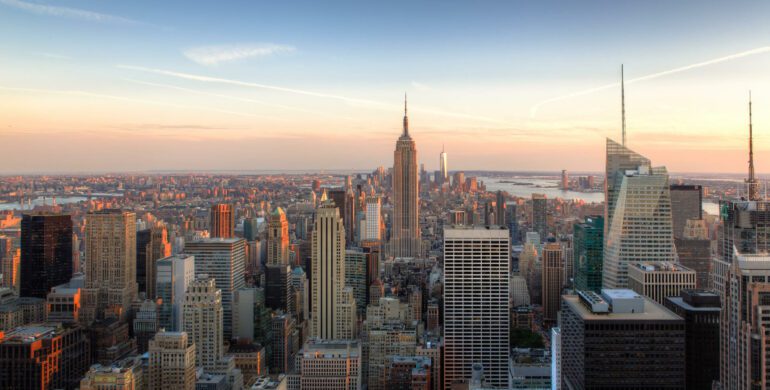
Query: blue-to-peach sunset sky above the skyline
101, 85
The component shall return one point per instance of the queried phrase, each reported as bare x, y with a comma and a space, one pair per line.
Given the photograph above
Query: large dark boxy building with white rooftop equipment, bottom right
642, 343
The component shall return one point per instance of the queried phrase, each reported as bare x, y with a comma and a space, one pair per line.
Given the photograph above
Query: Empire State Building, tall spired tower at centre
405, 235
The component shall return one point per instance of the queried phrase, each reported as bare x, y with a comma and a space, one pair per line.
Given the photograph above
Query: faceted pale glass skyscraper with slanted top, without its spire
639, 217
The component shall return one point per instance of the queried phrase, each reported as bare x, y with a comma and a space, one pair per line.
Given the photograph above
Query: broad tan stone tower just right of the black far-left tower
110, 284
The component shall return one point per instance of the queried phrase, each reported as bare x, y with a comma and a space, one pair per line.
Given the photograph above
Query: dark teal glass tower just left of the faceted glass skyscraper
588, 256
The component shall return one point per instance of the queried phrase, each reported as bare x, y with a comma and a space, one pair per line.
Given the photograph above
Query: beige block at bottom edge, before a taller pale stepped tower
172, 362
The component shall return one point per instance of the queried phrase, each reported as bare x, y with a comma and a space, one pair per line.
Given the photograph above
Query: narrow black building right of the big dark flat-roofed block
700, 311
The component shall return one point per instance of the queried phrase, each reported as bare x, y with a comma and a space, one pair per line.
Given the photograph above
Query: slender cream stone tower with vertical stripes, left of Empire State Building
333, 306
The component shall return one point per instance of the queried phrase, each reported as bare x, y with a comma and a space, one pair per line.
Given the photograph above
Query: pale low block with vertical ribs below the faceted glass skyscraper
659, 280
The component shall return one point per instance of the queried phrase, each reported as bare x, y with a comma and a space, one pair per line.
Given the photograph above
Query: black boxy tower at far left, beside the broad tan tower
46, 253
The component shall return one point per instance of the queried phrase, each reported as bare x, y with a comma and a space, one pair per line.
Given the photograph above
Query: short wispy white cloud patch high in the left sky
217, 54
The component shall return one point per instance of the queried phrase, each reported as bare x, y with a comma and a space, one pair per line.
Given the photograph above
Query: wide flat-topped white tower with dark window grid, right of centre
476, 297
